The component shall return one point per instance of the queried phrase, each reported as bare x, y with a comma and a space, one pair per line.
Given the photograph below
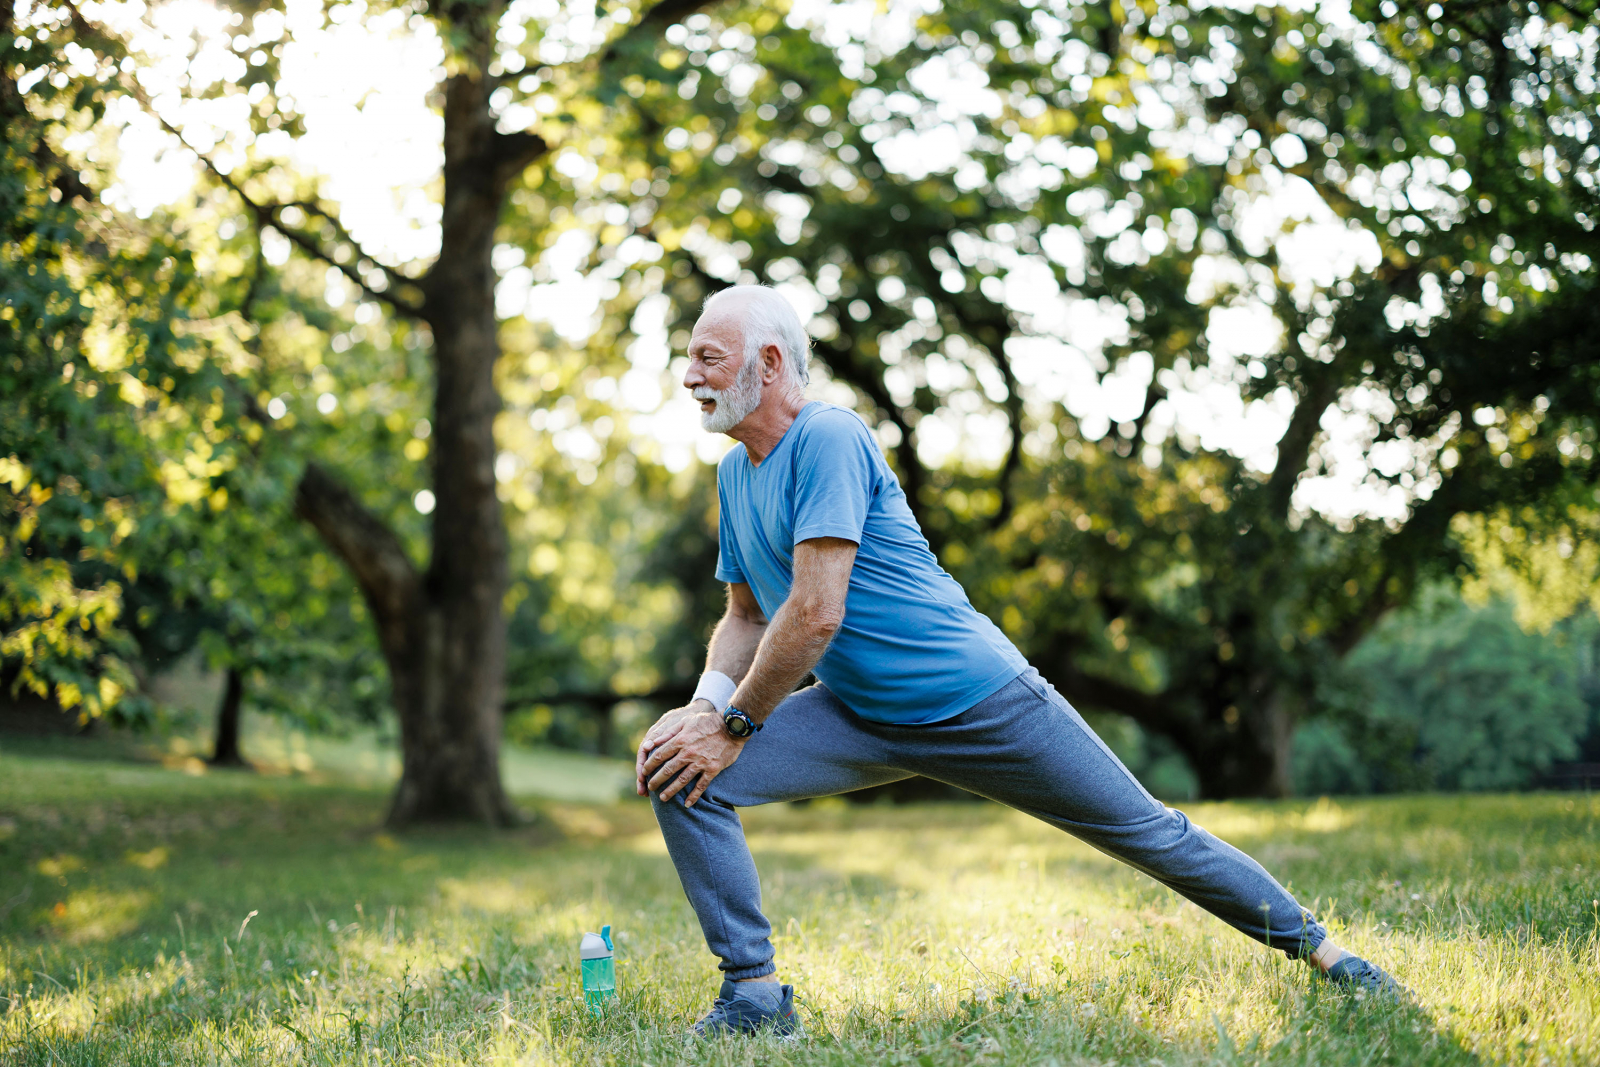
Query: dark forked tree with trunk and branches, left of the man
441, 628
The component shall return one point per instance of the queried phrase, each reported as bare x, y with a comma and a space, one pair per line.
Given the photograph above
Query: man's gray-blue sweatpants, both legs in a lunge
1025, 746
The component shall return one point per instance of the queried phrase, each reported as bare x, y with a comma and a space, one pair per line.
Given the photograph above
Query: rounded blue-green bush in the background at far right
1455, 698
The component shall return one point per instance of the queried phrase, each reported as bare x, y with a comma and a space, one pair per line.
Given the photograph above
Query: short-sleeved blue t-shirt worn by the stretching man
913, 649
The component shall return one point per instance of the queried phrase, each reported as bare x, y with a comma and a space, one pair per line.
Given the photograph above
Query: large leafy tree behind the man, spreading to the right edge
1111, 175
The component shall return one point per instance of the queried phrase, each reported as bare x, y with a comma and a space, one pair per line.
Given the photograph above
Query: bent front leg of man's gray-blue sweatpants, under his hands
812, 746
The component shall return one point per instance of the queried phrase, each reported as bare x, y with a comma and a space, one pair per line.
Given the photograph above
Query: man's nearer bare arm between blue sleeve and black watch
802, 629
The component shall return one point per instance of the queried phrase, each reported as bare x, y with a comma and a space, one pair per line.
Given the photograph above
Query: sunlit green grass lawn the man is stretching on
937, 935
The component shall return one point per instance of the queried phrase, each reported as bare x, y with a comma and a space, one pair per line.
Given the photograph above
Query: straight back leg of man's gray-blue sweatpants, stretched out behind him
1030, 749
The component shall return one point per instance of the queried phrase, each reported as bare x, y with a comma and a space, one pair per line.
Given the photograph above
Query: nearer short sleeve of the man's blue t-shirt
836, 478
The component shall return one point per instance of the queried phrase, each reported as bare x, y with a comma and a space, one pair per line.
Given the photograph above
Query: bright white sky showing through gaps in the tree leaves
362, 84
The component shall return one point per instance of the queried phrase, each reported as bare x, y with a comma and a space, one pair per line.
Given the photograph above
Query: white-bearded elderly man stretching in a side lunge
828, 573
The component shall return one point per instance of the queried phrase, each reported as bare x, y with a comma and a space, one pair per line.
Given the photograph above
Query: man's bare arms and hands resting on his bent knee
689, 746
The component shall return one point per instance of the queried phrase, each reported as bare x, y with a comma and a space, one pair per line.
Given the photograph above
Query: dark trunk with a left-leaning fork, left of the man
444, 634
